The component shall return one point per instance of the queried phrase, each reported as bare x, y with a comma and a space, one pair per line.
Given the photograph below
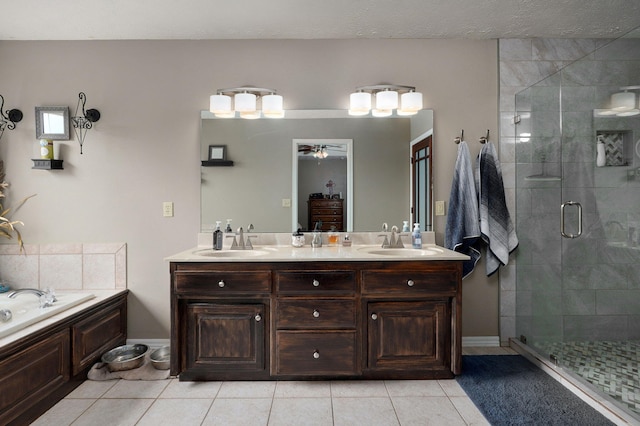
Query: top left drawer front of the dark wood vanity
206, 283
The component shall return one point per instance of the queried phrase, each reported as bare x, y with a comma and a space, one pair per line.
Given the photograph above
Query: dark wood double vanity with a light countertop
323, 313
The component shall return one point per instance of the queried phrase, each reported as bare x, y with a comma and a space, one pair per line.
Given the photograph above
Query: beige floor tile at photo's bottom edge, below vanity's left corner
176, 412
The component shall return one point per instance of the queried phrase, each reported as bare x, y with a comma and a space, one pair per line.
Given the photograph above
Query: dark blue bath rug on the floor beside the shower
510, 390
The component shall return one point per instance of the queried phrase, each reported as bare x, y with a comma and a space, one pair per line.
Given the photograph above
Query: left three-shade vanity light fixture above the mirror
245, 100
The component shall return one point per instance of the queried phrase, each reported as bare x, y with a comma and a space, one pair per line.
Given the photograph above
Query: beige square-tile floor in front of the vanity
171, 402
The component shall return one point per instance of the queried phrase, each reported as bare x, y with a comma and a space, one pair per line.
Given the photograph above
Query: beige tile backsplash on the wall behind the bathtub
73, 266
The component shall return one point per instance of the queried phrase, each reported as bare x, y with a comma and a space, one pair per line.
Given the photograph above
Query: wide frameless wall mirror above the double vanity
261, 188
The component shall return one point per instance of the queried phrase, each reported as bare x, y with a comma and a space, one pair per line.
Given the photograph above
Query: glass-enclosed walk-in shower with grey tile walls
578, 218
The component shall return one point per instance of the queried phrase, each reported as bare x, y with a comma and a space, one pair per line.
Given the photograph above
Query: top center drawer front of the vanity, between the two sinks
316, 282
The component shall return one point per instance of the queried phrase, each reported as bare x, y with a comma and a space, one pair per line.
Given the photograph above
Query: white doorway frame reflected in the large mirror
294, 178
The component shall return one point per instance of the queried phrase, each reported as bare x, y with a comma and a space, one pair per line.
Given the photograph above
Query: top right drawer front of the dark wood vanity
409, 282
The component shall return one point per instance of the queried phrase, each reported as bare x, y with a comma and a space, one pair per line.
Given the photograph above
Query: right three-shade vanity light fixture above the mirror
388, 98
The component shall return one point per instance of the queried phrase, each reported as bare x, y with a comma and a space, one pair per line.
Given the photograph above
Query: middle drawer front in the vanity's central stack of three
314, 314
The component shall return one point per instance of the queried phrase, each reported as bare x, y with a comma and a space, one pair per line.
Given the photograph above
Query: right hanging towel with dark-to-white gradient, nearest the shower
495, 223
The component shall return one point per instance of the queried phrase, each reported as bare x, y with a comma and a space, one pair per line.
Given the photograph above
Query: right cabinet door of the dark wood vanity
408, 335
